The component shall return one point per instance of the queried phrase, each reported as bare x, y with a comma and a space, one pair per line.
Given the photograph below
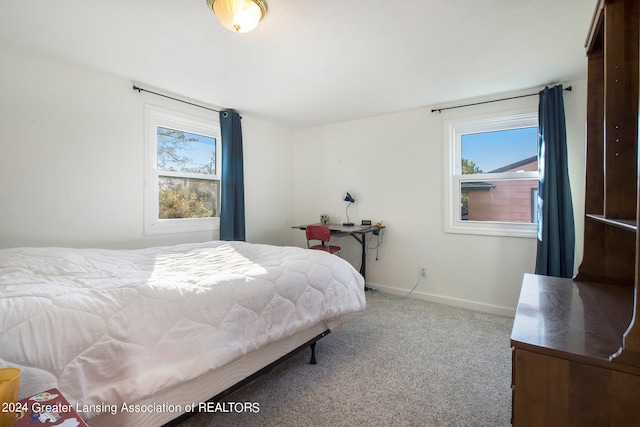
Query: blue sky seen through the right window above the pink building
493, 150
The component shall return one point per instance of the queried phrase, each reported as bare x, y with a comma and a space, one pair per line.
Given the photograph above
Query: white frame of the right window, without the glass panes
454, 129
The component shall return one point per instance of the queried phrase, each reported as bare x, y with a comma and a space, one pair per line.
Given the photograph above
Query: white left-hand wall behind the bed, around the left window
71, 168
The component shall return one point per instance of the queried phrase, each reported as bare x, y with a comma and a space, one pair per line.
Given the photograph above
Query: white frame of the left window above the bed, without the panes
155, 117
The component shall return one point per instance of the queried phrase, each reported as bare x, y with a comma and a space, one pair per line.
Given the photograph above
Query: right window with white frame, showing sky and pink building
493, 175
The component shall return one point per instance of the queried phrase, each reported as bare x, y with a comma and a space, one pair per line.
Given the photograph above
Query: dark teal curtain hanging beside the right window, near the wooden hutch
556, 231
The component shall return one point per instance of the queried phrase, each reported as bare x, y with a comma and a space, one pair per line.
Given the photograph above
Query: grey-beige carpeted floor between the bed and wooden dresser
399, 363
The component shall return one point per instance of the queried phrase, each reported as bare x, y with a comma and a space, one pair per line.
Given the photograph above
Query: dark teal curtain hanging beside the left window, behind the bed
232, 216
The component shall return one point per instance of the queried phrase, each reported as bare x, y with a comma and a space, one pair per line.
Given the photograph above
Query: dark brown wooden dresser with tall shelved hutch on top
576, 342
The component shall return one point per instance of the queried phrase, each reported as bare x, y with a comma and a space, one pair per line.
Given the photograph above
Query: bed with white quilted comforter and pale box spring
137, 337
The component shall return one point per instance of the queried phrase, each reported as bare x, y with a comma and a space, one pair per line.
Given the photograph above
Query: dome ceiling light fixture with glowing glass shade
239, 16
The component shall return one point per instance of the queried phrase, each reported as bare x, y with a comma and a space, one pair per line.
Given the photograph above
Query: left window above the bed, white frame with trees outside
182, 171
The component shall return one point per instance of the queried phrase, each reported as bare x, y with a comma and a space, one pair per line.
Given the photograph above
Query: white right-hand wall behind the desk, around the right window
394, 167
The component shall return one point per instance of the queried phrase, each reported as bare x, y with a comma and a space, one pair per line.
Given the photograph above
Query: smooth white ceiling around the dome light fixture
313, 62
